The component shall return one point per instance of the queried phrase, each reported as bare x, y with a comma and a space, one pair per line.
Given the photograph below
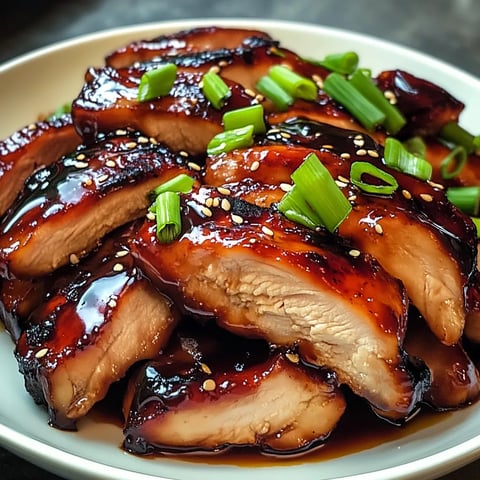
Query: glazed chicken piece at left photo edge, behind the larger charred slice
38, 144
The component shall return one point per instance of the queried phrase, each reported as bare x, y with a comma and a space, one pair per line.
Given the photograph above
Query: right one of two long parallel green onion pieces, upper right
394, 120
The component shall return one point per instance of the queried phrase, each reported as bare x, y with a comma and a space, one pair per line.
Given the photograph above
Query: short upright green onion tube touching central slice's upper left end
168, 216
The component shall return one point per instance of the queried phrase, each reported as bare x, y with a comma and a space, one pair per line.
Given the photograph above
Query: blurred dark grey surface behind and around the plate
446, 29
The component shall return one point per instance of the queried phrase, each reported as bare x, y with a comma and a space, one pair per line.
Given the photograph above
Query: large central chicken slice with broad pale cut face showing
263, 276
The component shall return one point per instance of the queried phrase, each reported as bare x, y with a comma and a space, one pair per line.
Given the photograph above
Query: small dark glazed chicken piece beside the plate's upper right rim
426, 106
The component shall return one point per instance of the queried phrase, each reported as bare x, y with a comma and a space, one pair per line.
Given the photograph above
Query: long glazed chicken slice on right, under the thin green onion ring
415, 234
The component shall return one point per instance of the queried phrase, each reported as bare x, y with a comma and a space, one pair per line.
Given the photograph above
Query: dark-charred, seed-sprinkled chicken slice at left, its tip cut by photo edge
67, 207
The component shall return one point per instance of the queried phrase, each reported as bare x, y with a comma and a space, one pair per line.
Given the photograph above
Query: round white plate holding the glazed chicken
43, 80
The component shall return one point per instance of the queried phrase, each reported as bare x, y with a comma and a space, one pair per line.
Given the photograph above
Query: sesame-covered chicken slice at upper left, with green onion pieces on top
183, 120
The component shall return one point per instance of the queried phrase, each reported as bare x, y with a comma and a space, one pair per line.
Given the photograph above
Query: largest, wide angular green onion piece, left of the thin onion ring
315, 198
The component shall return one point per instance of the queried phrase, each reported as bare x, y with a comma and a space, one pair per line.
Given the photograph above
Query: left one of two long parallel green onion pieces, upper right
346, 94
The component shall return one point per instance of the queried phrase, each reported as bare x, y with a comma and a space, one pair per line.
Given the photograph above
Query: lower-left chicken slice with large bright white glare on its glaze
89, 332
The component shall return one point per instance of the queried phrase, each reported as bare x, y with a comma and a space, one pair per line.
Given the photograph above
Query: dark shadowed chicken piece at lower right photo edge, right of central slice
455, 380
